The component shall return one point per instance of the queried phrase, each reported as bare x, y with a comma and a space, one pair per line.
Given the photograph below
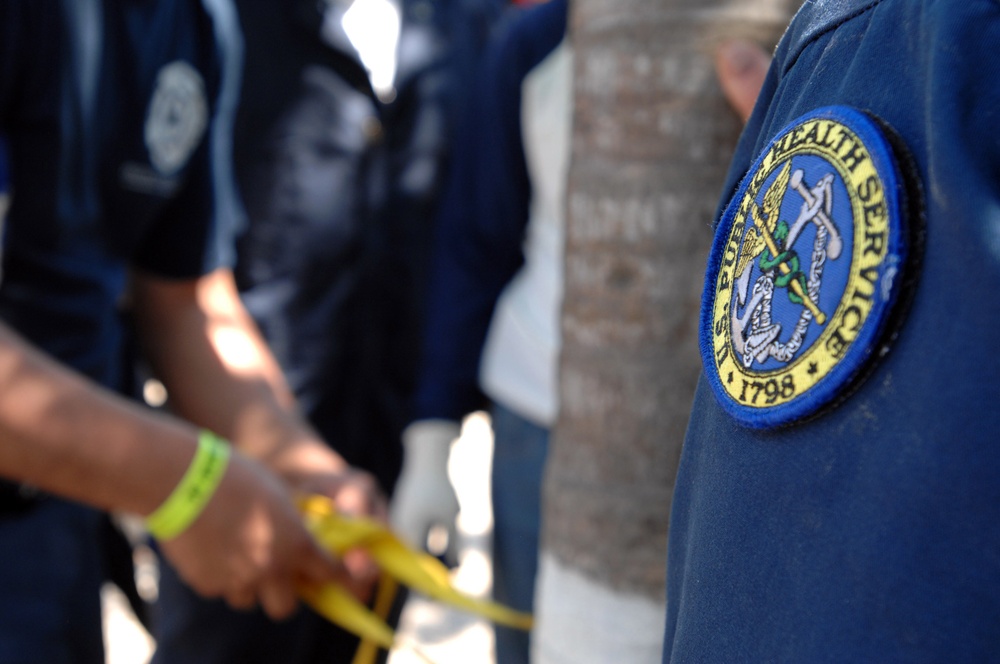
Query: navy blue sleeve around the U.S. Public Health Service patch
869, 533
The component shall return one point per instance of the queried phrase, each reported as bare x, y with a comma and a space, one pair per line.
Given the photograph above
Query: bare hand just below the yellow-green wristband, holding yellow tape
250, 546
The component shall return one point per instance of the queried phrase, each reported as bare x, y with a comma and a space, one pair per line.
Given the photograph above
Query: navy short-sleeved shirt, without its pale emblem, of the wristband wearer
76, 224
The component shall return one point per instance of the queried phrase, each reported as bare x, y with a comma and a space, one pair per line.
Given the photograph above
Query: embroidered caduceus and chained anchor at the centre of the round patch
770, 245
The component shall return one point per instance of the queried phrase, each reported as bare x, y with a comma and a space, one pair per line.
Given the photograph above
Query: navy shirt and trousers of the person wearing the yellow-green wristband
77, 78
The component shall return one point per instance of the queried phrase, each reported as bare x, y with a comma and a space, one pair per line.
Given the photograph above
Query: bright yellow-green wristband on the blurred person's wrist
195, 489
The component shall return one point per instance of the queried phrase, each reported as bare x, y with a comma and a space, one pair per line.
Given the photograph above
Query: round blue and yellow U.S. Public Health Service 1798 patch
805, 270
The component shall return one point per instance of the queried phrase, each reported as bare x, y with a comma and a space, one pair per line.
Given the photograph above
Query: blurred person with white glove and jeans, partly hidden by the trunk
493, 326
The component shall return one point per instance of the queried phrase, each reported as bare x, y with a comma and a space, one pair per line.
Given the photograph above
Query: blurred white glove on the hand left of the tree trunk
424, 496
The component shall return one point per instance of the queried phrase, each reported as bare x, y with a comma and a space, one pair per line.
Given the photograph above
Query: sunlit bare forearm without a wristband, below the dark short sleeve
221, 375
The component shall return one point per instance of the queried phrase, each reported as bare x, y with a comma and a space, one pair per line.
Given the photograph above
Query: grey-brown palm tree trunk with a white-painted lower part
651, 142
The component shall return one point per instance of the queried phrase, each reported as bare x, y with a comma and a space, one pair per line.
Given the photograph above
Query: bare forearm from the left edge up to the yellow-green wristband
68, 436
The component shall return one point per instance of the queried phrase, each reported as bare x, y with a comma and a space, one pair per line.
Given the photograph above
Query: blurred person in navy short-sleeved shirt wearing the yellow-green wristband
107, 109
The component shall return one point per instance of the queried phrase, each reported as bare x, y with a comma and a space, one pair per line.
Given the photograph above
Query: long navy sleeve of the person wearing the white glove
483, 216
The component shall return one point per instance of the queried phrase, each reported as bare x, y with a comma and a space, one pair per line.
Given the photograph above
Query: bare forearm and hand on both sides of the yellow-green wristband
62, 433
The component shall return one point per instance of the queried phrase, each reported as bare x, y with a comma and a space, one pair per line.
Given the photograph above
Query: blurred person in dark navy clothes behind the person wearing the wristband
343, 130
